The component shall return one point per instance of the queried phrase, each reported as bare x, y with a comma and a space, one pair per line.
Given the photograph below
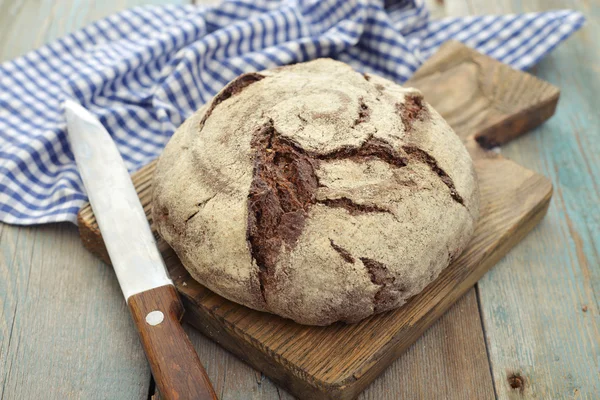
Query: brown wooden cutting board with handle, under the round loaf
487, 103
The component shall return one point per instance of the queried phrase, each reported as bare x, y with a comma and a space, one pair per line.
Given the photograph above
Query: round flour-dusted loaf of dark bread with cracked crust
316, 193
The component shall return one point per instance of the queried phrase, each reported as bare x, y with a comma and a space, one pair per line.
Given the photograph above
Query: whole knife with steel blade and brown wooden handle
152, 299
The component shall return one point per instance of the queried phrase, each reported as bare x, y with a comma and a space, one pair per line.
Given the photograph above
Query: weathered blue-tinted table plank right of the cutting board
533, 302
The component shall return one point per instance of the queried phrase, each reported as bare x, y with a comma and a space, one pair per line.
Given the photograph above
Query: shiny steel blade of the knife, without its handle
121, 218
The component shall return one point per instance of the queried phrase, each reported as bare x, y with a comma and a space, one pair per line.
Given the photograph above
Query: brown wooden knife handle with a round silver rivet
173, 360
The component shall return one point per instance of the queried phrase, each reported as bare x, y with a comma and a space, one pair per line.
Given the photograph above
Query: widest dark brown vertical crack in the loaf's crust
283, 188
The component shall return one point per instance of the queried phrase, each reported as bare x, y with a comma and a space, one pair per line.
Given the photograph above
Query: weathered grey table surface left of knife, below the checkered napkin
71, 335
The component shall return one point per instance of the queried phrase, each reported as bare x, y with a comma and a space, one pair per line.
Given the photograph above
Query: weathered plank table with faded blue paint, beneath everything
530, 329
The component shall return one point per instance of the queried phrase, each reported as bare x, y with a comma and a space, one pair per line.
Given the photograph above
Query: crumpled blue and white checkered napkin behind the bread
143, 71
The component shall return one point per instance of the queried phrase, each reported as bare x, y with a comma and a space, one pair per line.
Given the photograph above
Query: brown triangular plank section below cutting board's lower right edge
455, 368
